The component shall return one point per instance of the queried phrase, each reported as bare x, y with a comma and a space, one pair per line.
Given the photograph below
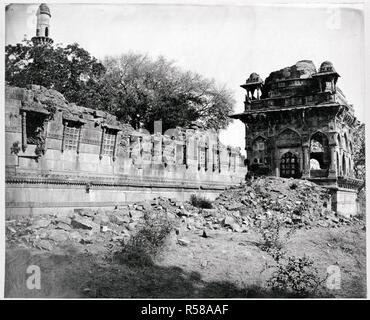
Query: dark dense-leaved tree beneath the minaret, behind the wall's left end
71, 70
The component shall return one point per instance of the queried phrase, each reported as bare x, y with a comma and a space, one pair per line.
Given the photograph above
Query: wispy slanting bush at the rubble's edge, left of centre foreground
148, 242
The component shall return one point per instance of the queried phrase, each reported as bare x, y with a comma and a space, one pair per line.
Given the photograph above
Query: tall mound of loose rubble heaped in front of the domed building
296, 202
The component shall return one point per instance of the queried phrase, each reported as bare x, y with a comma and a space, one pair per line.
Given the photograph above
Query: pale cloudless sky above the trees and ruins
224, 42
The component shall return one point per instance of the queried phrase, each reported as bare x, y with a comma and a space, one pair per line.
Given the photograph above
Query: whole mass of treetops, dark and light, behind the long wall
134, 87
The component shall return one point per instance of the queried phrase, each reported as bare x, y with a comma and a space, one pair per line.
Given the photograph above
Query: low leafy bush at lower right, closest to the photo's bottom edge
297, 277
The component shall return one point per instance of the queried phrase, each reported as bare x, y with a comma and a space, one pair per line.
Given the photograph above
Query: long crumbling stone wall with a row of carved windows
61, 156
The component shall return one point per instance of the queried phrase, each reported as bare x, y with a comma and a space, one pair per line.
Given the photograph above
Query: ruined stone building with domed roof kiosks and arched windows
299, 124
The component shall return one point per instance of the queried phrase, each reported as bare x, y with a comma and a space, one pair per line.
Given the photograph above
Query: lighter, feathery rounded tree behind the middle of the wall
143, 90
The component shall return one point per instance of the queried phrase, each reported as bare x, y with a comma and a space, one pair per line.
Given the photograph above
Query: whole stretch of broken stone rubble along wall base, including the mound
296, 202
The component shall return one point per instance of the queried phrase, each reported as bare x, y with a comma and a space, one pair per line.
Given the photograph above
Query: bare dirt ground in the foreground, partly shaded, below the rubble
223, 265
